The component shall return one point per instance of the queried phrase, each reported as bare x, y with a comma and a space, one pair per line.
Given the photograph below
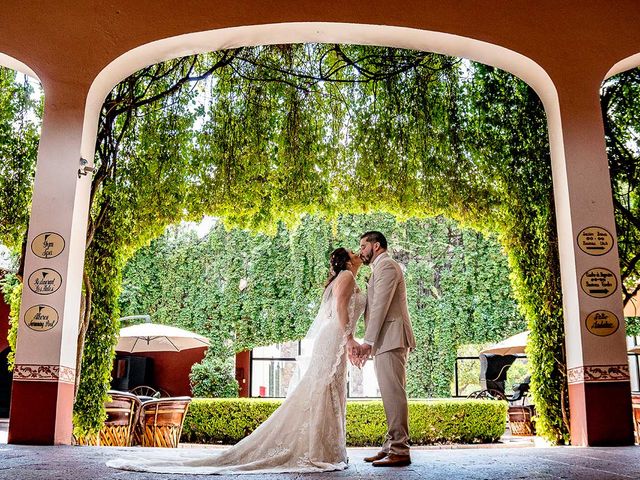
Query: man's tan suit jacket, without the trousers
386, 319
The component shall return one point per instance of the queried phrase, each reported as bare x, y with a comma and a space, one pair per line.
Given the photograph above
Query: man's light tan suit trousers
390, 370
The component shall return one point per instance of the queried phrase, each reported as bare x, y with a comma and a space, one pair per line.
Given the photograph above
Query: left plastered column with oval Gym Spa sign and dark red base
43, 379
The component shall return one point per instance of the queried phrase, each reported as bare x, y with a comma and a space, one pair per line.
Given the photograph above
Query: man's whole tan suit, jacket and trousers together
388, 331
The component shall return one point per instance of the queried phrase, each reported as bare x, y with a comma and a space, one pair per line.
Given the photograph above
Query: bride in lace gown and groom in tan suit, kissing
307, 432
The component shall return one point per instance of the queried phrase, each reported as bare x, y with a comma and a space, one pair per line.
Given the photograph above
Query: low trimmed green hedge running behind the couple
225, 420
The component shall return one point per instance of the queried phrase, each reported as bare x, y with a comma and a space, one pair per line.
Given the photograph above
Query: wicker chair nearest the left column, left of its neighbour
122, 416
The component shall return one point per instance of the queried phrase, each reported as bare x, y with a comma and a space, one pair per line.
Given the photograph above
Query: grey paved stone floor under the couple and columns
77, 463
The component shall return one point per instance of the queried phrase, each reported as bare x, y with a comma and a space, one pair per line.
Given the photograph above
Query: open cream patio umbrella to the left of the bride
152, 337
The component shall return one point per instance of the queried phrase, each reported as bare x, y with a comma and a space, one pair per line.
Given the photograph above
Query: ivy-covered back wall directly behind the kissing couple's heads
245, 290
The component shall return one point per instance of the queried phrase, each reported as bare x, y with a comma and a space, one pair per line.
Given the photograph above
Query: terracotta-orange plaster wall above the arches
71, 41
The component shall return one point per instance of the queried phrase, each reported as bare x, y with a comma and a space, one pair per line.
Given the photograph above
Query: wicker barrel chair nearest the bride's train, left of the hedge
160, 421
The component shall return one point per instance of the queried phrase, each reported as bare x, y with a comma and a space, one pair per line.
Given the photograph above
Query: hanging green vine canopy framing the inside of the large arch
270, 136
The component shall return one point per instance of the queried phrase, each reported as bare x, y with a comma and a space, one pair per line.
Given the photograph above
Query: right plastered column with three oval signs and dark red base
598, 371
